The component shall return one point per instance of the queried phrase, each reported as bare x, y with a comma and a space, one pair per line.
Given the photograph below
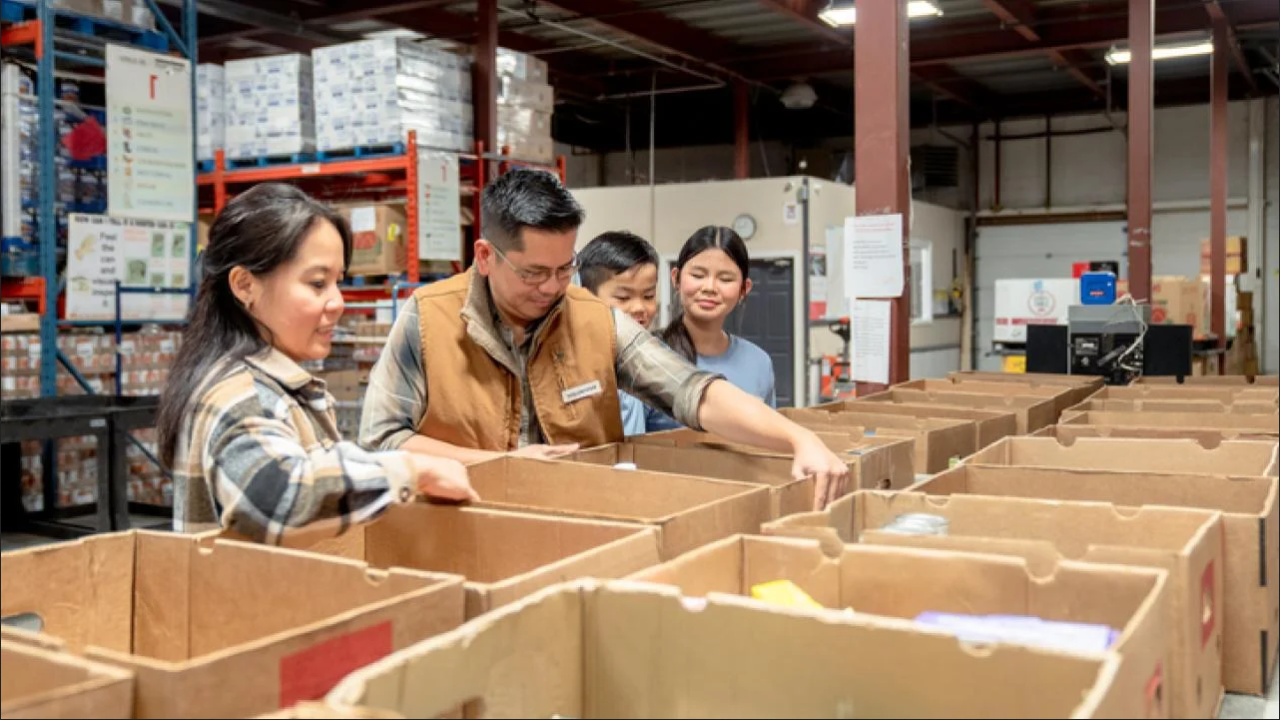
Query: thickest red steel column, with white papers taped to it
881, 147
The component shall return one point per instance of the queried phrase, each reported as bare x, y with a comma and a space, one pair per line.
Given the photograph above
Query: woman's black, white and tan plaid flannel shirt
260, 455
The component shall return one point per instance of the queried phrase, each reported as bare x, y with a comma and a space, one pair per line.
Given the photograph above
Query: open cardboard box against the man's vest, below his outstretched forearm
788, 495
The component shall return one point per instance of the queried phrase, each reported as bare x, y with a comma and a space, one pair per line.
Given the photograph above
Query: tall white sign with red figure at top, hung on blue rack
150, 162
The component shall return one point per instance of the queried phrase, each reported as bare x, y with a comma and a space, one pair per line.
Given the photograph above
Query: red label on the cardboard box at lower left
312, 673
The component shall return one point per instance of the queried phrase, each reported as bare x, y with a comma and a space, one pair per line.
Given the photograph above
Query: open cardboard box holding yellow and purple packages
902, 582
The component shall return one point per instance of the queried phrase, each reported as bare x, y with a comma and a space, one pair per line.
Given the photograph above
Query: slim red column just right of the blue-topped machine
1141, 37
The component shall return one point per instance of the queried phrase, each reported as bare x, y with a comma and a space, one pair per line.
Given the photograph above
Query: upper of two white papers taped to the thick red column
874, 257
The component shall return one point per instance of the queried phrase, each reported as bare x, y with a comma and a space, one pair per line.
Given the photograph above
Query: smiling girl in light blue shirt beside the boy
712, 280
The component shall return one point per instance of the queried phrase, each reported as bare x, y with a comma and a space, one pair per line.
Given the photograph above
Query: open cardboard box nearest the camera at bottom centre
628, 650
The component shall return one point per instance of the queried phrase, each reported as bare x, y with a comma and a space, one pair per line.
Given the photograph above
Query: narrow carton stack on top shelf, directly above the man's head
525, 107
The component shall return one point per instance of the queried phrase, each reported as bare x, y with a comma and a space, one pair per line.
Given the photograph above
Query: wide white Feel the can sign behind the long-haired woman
106, 250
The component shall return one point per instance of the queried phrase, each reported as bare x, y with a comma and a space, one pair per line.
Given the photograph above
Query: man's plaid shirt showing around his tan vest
396, 403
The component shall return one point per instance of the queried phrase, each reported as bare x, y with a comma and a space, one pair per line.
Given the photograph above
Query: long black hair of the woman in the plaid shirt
259, 231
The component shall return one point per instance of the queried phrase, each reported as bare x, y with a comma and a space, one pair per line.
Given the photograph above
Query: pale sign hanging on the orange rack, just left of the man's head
440, 211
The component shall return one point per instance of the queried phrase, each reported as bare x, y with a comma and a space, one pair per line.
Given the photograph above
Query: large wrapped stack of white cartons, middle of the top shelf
374, 92
